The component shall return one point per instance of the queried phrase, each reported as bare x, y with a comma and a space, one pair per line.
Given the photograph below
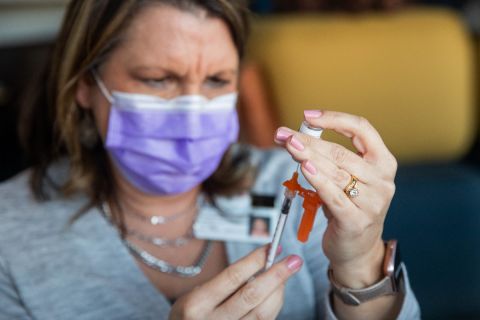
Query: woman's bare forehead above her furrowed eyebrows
162, 32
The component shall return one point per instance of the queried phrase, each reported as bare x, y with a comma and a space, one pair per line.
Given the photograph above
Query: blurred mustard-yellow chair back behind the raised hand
410, 73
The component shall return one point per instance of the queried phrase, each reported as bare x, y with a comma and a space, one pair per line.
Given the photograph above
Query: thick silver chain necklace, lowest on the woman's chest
161, 265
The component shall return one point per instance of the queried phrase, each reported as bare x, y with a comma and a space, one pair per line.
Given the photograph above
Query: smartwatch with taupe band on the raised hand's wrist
391, 284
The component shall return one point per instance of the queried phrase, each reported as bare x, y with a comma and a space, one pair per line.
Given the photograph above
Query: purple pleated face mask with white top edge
166, 147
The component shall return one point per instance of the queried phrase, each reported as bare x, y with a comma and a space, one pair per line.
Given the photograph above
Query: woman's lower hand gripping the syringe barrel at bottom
234, 294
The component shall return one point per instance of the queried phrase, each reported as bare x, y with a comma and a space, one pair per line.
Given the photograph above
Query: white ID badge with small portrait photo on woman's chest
245, 218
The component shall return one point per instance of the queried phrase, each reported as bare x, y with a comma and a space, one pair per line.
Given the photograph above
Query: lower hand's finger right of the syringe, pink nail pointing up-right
255, 292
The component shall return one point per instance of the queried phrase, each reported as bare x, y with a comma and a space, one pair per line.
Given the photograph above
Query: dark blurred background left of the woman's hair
27, 33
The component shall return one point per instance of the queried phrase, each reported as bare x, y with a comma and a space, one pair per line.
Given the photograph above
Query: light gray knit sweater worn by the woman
52, 270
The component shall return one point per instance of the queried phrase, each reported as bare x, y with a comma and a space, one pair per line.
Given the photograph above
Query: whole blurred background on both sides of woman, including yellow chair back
410, 67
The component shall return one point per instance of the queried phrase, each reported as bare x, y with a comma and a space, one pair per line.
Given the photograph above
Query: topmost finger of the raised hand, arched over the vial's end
364, 136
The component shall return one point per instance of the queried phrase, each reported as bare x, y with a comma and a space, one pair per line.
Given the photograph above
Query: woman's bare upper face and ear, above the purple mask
166, 52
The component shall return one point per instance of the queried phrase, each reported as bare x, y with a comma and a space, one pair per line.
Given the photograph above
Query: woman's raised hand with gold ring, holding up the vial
352, 241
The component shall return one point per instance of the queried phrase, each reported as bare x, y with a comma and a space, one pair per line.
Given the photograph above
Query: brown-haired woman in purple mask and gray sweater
136, 132
